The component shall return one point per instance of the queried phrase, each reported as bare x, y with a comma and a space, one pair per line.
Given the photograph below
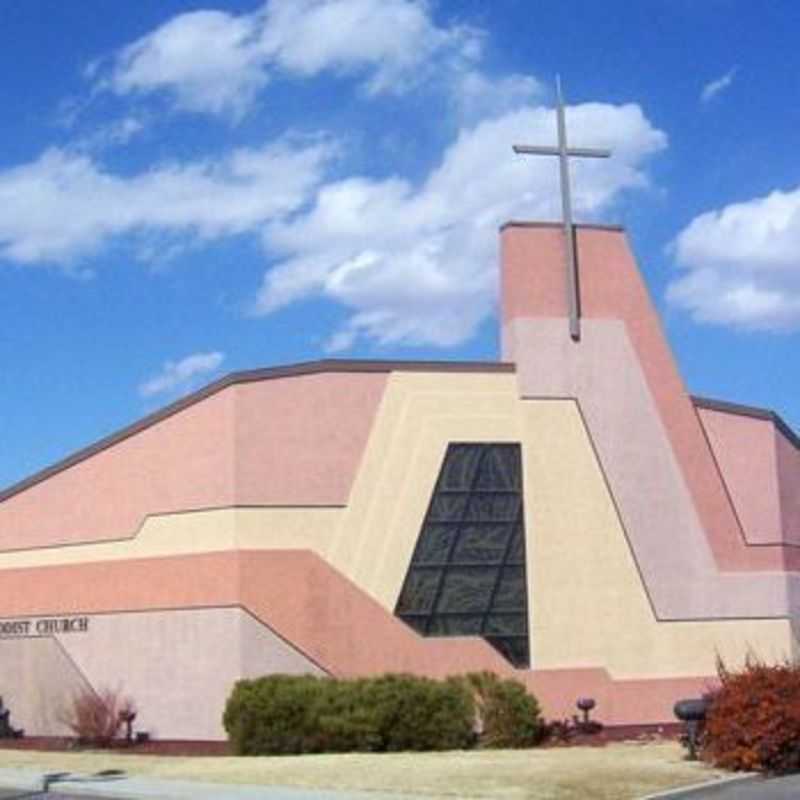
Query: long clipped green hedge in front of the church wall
302, 714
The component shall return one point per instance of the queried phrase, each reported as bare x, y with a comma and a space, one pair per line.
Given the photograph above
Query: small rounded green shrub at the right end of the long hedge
508, 715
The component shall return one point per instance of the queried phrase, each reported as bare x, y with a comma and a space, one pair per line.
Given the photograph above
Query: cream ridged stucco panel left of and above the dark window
419, 416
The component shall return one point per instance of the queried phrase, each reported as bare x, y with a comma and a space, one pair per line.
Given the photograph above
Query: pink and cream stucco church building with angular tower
568, 516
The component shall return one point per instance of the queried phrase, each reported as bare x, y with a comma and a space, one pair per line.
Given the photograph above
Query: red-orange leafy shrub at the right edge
753, 722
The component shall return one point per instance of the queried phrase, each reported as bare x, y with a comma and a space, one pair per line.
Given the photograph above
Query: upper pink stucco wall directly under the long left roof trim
282, 441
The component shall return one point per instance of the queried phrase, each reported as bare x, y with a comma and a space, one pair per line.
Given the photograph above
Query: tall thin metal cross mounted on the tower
563, 152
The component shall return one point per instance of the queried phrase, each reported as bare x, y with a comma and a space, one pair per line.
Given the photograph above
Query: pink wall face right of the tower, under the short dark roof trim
744, 448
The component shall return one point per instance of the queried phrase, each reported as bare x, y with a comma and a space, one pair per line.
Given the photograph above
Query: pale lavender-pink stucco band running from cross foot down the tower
666, 535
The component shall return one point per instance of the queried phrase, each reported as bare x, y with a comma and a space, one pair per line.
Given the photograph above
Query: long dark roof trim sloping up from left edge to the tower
251, 376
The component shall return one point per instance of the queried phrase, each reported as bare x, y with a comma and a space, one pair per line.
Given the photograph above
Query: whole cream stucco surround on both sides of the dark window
588, 605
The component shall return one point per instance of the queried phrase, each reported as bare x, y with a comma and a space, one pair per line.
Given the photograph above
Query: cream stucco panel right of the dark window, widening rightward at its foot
589, 606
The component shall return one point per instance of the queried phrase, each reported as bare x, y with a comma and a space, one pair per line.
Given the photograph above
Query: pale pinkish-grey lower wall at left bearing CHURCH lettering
178, 667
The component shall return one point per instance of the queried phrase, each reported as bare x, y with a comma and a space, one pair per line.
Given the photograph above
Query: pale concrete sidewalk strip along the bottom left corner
27, 783
